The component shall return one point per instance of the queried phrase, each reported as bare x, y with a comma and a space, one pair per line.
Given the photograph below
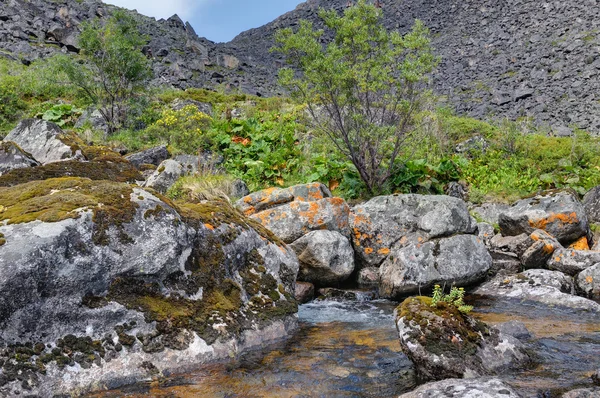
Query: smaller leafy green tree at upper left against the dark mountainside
115, 71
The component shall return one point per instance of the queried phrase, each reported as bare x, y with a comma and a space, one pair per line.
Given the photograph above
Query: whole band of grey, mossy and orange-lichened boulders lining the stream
106, 282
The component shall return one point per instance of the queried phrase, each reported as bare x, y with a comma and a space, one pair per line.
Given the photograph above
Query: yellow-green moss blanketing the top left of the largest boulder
58, 199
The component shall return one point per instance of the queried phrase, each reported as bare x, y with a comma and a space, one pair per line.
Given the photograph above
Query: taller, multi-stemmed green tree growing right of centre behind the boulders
363, 88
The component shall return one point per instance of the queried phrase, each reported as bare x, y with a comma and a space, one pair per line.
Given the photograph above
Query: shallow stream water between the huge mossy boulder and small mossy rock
342, 349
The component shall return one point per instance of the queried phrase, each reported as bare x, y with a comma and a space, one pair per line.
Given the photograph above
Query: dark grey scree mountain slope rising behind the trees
515, 58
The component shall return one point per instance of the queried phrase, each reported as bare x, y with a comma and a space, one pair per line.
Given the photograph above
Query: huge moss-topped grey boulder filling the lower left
106, 275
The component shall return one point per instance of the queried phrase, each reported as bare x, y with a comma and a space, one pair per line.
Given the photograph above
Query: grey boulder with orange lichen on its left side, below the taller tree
382, 221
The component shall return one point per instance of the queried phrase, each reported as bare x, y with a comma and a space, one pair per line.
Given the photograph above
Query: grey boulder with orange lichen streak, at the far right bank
557, 212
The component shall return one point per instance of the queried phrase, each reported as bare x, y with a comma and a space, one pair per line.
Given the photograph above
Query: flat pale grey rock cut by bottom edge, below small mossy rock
463, 388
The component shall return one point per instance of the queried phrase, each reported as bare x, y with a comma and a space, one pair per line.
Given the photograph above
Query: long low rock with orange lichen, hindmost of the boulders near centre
273, 197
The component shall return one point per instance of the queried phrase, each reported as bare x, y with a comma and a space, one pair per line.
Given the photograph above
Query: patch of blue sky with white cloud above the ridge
217, 20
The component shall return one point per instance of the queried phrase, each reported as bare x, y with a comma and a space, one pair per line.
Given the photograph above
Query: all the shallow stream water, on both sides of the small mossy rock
351, 349
